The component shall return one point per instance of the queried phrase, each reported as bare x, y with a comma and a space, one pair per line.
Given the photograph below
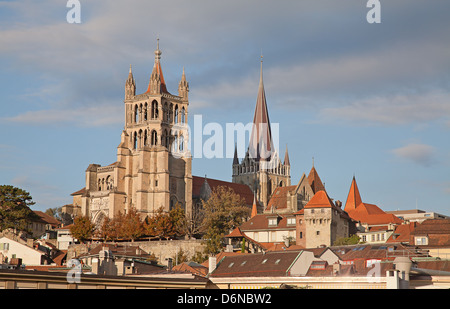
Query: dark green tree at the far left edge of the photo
15, 212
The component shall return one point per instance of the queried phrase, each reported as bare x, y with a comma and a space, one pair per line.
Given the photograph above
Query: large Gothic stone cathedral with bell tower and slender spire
154, 166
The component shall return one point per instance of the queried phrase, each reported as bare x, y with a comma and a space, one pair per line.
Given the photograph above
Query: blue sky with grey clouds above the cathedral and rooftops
370, 100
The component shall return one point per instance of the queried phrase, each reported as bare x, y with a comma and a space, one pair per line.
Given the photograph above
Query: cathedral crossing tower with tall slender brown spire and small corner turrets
261, 169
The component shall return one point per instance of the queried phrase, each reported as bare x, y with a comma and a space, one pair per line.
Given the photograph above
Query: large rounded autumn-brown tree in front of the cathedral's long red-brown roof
223, 211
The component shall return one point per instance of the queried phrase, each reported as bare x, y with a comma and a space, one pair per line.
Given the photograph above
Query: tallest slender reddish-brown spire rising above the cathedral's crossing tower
260, 146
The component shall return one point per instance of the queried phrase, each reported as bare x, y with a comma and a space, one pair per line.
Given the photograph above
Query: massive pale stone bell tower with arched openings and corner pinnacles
153, 167
